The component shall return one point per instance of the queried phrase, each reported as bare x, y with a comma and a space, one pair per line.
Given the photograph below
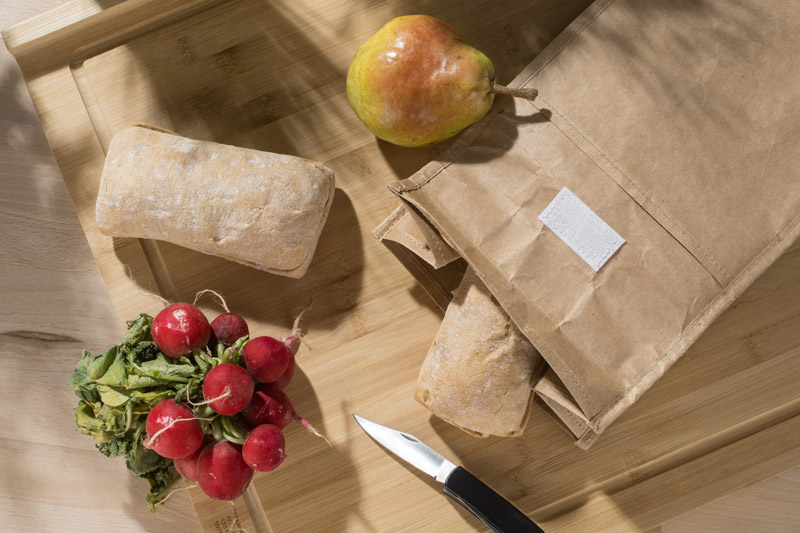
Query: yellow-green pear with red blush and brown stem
416, 82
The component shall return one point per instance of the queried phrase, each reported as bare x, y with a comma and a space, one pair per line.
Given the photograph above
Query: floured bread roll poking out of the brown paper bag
478, 374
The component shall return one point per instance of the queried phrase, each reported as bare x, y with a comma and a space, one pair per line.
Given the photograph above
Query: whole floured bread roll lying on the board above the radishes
261, 209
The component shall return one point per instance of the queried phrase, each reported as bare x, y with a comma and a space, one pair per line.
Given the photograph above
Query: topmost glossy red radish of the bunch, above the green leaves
179, 328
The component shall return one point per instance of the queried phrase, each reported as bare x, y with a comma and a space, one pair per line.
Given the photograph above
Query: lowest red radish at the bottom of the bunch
222, 472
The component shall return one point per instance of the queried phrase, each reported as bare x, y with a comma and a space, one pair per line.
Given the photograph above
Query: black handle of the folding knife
493, 510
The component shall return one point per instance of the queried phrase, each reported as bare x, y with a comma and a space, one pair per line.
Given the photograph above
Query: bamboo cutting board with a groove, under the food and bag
270, 75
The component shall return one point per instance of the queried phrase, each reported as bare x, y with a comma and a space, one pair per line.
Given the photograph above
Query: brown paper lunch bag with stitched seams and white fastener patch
676, 124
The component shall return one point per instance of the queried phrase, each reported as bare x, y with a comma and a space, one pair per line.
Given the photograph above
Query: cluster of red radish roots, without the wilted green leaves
236, 429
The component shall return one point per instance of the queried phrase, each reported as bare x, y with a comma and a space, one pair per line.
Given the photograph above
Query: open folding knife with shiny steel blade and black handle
493, 510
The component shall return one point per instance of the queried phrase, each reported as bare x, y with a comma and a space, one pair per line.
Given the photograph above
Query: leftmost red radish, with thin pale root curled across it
172, 430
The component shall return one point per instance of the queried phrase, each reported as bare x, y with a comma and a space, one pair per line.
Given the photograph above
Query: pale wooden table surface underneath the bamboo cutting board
55, 303
